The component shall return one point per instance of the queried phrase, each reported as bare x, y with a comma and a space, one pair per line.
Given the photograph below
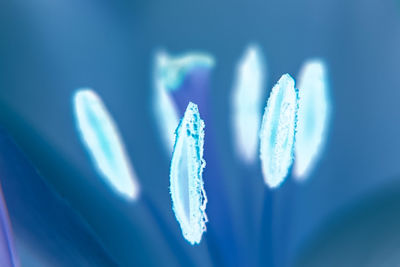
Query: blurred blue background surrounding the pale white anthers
345, 214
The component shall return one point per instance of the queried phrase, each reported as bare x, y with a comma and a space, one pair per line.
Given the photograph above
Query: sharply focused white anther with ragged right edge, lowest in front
186, 182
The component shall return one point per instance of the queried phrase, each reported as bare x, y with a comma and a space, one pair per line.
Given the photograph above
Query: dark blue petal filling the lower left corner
48, 232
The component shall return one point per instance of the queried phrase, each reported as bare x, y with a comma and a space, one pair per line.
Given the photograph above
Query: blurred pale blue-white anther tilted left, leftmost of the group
101, 139
